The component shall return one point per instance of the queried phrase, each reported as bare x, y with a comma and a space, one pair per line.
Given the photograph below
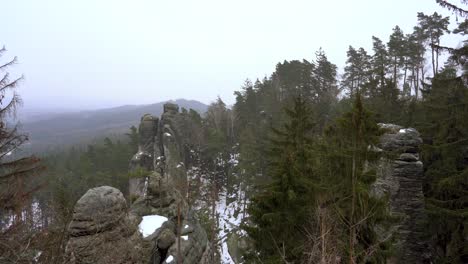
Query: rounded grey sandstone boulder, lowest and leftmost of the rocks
102, 231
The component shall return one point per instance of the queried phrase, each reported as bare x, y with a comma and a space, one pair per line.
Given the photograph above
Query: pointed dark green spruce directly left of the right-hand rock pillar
348, 154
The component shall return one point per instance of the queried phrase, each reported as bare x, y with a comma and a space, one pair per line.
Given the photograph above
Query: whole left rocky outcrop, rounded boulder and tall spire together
105, 230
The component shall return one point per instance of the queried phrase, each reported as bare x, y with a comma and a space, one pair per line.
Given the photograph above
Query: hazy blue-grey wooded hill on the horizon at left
52, 130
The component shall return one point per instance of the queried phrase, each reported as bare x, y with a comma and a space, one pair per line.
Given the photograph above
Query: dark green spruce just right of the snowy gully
279, 210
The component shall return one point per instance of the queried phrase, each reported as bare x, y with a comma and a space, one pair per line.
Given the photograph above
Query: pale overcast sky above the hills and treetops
92, 54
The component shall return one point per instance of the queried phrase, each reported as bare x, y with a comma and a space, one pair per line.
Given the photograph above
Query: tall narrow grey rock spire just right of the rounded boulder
163, 194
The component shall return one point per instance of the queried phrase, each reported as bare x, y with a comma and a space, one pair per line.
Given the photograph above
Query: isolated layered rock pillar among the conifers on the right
400, 176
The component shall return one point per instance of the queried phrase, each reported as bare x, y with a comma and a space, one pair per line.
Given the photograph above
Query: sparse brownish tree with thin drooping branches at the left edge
18, 181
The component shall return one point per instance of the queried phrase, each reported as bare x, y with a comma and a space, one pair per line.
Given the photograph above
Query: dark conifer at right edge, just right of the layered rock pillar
445, 153
